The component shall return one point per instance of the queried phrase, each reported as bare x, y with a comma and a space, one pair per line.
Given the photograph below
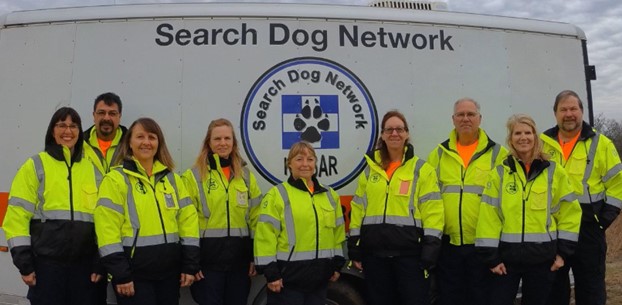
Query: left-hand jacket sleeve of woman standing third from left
109, 219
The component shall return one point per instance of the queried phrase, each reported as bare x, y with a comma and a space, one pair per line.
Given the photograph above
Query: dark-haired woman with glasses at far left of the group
49, 221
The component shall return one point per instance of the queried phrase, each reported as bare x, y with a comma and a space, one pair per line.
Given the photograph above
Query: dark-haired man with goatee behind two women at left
103, 137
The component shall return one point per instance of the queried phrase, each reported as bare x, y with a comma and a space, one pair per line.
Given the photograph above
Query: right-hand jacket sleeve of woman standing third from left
188, 224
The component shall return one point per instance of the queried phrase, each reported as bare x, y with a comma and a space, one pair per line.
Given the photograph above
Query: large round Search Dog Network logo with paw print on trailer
315, 100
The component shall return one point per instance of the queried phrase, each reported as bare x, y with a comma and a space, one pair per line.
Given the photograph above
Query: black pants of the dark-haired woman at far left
62, 284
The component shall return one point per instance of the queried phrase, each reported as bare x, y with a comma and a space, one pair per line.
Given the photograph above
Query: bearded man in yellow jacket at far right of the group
593, 165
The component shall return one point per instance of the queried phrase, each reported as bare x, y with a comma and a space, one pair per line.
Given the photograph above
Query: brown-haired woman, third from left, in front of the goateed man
147, 228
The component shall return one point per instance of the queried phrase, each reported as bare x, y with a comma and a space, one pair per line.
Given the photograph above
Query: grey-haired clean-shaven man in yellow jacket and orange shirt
462, 165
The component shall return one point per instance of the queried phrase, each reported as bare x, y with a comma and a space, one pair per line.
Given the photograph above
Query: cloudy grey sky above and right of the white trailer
601, 20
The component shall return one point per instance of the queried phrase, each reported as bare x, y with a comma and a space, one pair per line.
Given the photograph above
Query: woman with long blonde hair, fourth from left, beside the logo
226, 196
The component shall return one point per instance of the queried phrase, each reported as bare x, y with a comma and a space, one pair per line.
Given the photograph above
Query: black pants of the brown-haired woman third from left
160, 292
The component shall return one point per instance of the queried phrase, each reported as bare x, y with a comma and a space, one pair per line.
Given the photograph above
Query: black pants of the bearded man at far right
588, 268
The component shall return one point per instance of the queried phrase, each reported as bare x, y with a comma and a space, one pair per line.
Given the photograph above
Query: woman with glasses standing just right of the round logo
397, 219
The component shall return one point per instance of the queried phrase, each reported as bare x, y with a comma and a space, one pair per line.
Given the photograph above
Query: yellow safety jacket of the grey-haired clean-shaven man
462, 186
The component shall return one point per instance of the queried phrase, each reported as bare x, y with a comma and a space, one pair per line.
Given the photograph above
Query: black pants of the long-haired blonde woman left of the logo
222, 287
